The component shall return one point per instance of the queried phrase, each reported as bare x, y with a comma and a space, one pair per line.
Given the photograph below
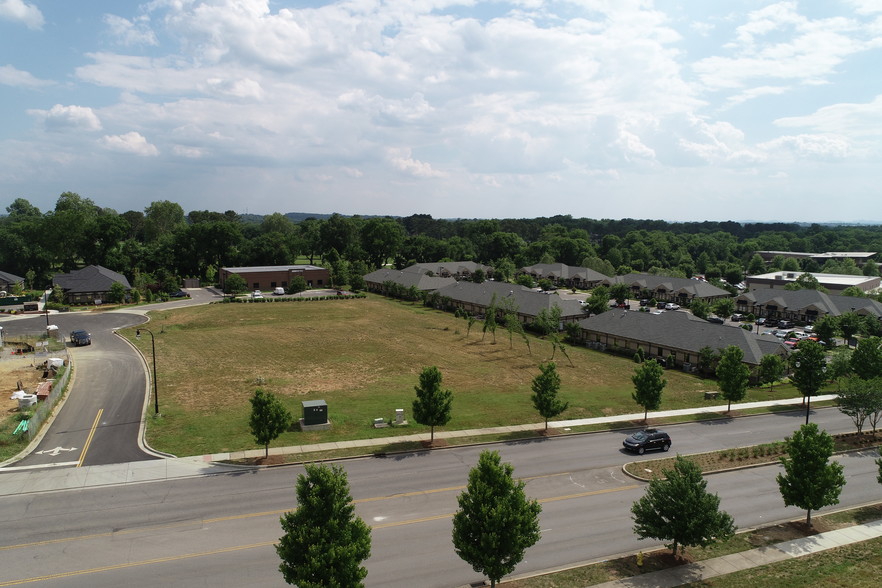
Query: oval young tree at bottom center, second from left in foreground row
495, 523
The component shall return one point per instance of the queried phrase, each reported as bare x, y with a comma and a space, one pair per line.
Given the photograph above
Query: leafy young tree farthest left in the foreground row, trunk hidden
324, 543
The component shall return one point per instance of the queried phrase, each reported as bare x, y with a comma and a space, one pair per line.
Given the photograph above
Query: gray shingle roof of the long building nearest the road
681, 330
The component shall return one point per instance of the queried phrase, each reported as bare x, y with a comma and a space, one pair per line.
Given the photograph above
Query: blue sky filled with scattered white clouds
681, 110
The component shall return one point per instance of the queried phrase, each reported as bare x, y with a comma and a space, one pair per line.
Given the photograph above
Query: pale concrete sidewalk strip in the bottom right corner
727, 564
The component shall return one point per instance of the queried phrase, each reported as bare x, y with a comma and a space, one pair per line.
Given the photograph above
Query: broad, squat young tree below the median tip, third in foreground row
678, 508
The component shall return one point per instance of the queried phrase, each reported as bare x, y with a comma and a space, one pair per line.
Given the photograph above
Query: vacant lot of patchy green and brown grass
363, 357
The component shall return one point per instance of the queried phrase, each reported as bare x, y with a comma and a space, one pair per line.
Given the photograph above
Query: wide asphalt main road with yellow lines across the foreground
220, 530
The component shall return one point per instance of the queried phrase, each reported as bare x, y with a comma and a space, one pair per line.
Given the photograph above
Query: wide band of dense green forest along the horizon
161, 245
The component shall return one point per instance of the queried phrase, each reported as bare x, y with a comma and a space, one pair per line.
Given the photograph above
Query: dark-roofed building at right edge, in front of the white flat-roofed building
803, 305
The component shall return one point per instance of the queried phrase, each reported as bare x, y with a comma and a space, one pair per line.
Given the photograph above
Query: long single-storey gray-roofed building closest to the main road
676, 337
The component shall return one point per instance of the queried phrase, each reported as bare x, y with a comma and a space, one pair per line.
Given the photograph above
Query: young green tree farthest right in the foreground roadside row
810, 481
